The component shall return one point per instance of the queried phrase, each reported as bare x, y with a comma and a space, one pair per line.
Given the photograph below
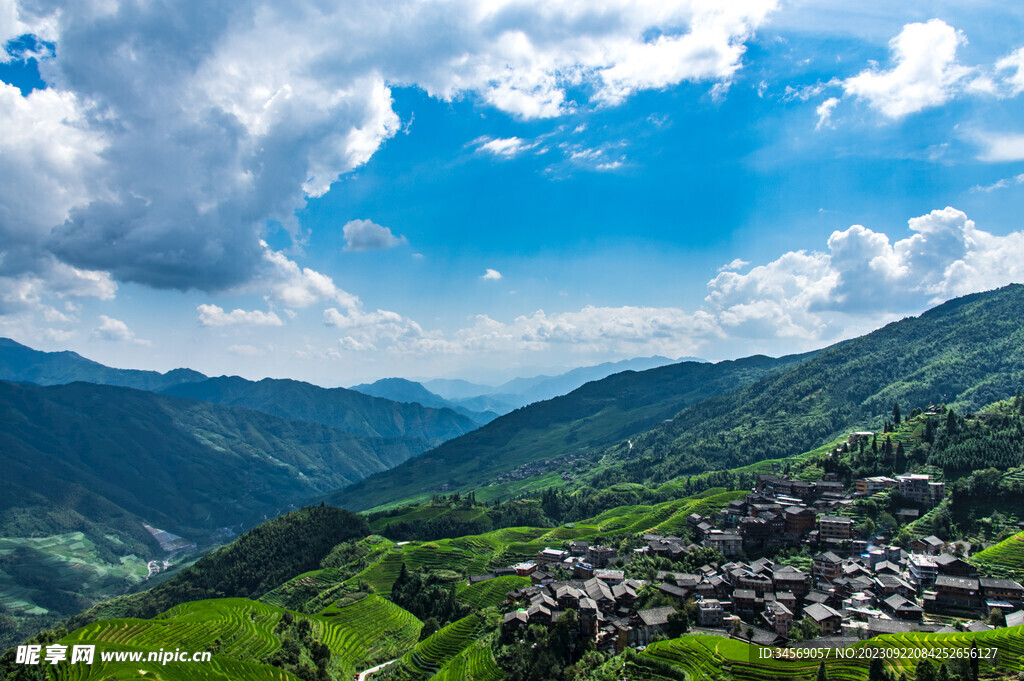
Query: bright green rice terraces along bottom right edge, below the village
711, 657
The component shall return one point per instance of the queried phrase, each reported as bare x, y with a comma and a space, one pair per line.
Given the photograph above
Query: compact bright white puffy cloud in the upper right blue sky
925, 72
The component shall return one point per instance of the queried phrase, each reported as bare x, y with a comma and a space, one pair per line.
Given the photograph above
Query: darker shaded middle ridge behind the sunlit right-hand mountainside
590, 418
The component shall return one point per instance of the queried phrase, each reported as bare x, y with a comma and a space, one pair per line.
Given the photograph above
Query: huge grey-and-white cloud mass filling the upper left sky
162, 162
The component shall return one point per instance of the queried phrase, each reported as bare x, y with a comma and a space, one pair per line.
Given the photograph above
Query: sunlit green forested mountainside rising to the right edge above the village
967, 353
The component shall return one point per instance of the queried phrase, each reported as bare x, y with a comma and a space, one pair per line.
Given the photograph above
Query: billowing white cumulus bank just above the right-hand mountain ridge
865, 276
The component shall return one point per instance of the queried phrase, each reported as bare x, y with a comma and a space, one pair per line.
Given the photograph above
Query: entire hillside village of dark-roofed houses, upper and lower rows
855, 589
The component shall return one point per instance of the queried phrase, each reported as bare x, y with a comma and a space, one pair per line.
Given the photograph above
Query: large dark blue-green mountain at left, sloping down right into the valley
116, 456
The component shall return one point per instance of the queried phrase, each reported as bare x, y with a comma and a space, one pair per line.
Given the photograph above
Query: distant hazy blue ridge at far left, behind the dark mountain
24, 365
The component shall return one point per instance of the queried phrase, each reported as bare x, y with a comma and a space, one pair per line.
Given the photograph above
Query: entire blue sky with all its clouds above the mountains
495, 190
